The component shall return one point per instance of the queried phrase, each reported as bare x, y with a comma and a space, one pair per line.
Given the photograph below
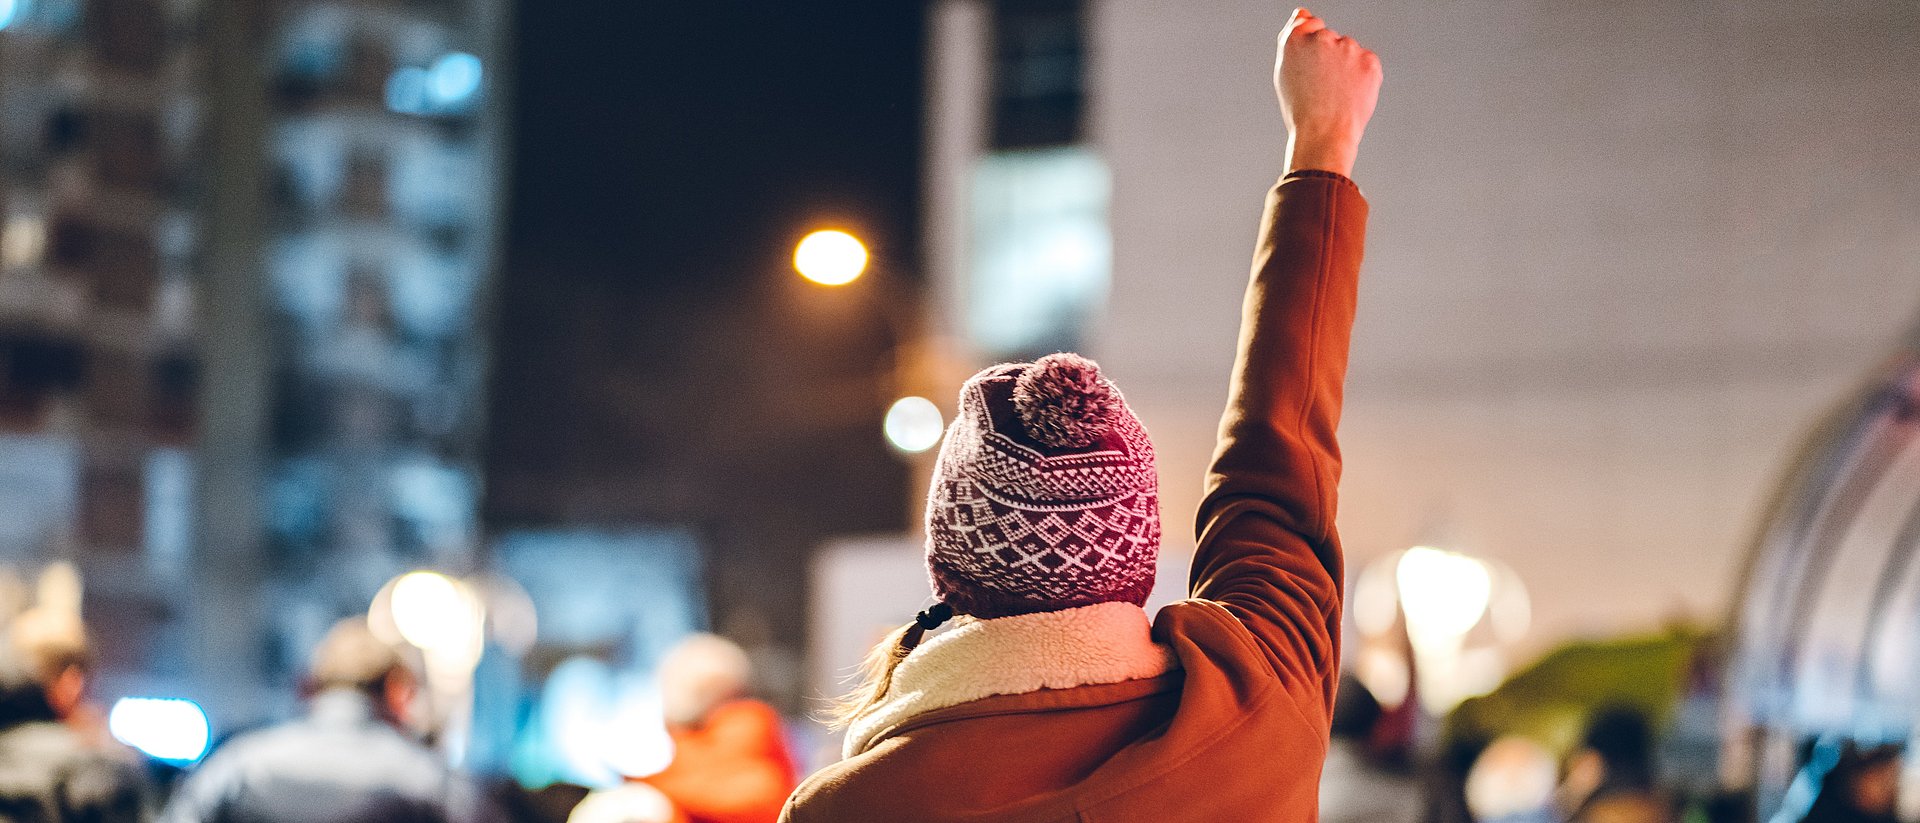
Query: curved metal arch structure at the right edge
1827, 630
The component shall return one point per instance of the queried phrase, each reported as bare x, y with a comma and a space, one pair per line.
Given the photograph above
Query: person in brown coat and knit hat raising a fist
1057, 699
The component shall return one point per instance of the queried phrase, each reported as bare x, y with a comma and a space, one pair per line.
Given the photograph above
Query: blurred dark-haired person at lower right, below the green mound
1612, 778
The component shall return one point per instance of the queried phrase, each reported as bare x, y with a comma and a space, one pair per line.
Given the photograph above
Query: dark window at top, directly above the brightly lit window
1038, 72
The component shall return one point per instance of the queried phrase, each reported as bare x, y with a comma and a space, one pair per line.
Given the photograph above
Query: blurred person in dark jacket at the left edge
49, 770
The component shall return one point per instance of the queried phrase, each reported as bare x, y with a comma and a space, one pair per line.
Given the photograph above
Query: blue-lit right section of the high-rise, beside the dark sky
385, 162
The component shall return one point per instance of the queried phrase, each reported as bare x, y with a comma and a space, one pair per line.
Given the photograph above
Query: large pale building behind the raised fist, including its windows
1612, 275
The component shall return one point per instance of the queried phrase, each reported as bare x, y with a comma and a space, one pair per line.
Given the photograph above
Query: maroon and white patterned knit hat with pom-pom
1045, 494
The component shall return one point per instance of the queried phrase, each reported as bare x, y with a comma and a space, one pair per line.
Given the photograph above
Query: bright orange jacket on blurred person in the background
734, 768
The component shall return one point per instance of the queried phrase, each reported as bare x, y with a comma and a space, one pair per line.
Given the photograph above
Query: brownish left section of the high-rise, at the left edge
99, 348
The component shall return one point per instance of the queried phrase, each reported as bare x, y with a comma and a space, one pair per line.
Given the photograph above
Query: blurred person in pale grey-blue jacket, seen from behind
350, 761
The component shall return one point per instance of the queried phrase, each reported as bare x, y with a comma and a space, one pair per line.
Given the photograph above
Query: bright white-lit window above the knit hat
1042, 250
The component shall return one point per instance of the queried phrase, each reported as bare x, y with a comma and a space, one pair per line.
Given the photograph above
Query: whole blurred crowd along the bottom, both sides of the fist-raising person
360, 755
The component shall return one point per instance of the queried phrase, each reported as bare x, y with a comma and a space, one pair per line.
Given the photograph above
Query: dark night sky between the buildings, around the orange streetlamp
656, 360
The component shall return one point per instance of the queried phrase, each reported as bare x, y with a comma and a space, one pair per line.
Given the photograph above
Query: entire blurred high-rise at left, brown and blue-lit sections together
243, 308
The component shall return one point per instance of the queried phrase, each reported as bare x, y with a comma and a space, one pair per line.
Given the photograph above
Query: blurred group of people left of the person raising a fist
358, 751
